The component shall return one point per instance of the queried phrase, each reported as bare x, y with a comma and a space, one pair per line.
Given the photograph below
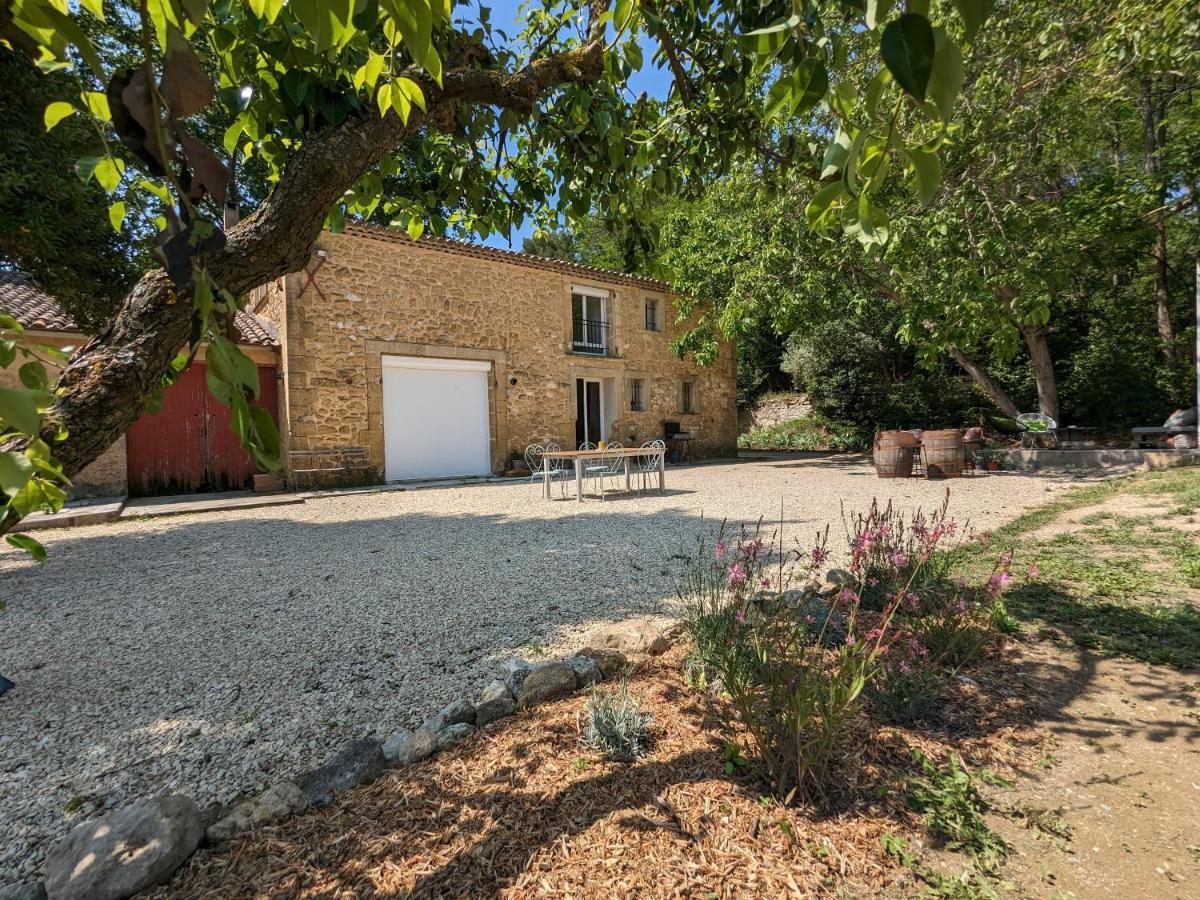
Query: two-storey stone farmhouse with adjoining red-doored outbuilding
388, 359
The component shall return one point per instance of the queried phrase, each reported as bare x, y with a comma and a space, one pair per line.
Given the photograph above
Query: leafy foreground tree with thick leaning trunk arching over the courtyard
334, 98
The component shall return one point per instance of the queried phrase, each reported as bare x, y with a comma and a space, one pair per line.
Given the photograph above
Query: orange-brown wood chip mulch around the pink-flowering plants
523, 811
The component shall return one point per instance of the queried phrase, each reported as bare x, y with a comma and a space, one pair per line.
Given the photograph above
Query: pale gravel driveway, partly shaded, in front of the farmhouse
220, 652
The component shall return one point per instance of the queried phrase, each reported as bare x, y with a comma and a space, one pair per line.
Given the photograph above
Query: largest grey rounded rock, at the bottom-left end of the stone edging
124, 853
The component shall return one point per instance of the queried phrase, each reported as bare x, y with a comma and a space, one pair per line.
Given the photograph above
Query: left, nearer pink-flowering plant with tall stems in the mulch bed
793, 667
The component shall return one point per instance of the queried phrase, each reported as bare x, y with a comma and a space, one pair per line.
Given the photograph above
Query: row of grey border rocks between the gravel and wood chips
146, 843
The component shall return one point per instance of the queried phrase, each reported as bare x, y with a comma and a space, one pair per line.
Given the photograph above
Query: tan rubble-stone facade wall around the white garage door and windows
373, 296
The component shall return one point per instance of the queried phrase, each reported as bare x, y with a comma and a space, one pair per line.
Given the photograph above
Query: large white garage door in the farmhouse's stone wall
435, 418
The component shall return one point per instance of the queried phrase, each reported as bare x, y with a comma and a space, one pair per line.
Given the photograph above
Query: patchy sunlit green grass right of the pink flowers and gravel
1114, 584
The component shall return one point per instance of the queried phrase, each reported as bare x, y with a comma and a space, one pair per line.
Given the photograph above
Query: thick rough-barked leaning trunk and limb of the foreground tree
105, 388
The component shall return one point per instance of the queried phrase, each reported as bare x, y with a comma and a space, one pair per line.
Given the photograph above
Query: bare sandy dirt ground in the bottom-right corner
1115, 809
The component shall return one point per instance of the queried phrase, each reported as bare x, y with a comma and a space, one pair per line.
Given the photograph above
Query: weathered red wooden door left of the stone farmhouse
189, 446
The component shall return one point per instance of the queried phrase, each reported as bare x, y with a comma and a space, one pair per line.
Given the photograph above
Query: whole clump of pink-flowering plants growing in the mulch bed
791, 658
